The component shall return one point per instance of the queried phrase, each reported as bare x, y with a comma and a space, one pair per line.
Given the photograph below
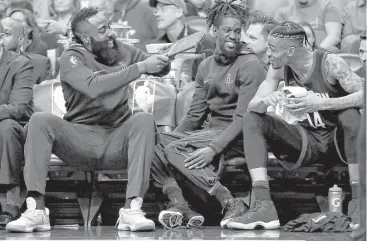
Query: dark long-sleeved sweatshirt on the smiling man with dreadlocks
223, 92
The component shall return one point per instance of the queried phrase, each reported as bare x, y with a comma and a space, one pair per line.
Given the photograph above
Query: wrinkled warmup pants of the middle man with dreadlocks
174, 149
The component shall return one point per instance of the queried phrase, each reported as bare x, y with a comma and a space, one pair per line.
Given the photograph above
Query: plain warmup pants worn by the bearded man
130, 145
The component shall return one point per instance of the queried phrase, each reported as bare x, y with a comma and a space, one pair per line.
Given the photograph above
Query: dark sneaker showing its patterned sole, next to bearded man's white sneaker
180, 214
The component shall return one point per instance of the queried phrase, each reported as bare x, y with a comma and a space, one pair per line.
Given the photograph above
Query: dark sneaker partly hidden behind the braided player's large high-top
232, 207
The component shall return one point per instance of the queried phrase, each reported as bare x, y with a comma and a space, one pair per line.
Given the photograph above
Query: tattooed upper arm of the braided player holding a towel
337, 68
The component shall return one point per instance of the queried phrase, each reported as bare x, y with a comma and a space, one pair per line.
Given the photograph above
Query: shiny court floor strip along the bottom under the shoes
203, 233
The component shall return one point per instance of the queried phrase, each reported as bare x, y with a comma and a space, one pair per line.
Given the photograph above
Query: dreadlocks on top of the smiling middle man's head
225, 8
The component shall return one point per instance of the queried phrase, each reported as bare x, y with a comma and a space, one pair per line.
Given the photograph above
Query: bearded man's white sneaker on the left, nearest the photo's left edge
31, 220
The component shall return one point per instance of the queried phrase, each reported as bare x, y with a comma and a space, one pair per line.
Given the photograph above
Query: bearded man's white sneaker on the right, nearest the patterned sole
133, 219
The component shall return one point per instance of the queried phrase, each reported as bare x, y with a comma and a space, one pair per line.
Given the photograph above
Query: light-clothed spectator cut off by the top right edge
354, 25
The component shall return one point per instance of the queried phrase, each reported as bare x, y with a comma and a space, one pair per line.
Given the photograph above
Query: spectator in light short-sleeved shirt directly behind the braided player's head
323, 16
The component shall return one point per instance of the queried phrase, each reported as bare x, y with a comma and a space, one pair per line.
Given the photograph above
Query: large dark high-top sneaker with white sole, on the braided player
262, 213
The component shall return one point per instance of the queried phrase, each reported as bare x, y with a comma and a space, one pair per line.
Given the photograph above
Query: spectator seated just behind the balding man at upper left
33, 42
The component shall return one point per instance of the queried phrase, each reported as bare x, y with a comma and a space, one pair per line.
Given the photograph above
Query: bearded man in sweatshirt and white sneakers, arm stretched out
98, 131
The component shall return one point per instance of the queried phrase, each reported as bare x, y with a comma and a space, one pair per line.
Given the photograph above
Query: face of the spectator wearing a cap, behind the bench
167, 15
